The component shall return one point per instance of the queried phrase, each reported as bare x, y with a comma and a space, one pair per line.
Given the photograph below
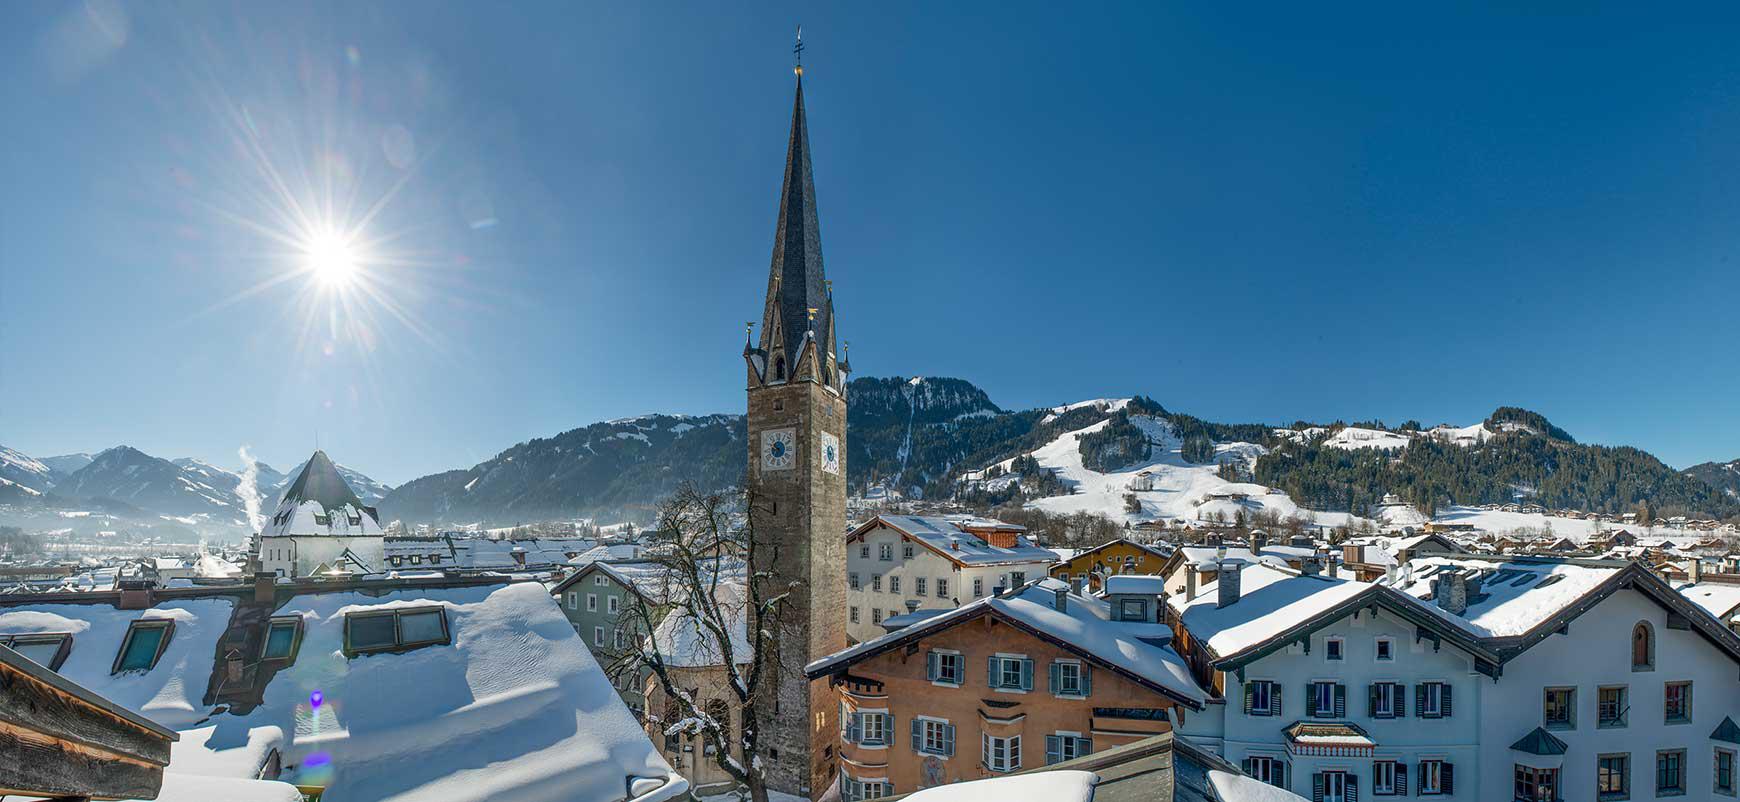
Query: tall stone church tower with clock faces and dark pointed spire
798, 474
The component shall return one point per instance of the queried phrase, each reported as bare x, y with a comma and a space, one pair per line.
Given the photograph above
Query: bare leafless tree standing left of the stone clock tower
730, 617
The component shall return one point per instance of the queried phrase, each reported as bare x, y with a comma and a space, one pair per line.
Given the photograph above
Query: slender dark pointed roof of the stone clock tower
796, 283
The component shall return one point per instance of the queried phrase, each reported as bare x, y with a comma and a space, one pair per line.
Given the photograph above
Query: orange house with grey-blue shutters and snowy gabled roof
1031, 678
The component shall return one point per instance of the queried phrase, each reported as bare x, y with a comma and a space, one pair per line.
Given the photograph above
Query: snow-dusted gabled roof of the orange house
1085, 627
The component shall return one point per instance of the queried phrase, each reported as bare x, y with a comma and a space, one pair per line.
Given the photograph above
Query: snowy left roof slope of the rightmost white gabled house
1515, 596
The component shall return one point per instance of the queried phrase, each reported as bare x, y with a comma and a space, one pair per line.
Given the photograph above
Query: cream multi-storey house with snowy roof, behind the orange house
897, 565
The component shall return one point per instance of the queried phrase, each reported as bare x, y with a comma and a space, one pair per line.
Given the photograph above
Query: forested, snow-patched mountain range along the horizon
935, 438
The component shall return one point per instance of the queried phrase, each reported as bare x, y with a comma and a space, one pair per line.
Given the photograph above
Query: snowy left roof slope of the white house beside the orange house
1271, 603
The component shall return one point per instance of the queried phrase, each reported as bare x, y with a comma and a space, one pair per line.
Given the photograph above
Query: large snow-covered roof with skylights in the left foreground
514, 707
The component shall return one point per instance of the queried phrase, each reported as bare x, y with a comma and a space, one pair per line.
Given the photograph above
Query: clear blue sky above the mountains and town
1255, 215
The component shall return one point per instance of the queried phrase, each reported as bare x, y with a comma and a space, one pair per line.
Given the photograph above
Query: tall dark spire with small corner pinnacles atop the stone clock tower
796, 283
